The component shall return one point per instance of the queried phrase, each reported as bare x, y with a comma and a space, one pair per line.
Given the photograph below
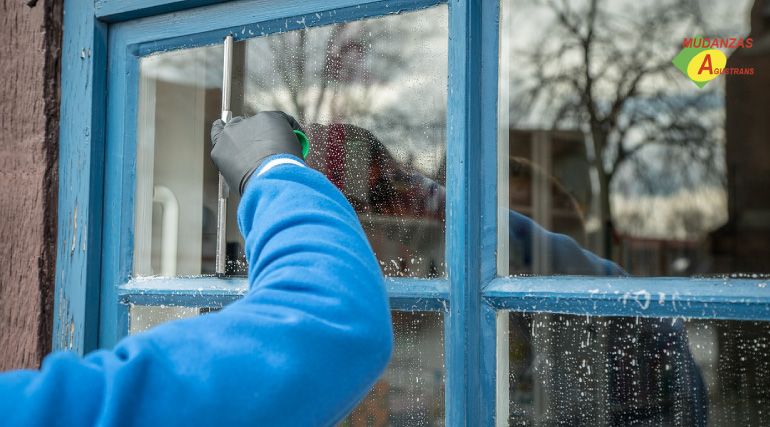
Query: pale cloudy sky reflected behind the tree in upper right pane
530, 26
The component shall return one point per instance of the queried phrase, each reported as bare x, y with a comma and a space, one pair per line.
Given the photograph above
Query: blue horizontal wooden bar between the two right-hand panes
706, 298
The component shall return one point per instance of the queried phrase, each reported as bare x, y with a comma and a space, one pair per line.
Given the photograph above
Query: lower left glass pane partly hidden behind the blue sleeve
411, 392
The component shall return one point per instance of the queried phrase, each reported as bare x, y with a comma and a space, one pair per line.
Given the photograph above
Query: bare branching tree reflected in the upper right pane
605, 67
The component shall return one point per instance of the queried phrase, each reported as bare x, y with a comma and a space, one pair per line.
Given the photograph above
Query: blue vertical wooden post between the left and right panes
471, 186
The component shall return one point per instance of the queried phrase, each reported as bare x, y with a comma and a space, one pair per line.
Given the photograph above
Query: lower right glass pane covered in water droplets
622, 371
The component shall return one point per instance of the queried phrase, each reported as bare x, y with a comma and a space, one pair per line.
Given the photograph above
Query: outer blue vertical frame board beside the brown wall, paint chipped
81, 145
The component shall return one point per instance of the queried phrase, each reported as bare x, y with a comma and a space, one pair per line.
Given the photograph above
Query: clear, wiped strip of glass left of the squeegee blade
175, 228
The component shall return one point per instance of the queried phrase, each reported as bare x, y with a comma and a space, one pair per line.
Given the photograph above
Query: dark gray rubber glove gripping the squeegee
241, 145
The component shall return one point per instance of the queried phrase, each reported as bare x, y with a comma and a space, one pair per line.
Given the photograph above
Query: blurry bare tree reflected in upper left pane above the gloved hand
323, 74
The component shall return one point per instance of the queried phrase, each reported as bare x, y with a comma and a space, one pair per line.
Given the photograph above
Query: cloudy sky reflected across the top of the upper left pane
394, 80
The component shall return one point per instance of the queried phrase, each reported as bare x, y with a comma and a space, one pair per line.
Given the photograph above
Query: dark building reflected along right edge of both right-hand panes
741, 245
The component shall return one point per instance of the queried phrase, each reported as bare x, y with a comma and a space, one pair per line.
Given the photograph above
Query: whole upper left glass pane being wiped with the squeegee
372, 102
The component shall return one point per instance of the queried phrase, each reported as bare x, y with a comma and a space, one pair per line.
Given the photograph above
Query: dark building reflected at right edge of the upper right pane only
741, 245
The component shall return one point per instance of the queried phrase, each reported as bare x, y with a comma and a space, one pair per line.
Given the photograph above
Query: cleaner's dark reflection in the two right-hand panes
651, 376
